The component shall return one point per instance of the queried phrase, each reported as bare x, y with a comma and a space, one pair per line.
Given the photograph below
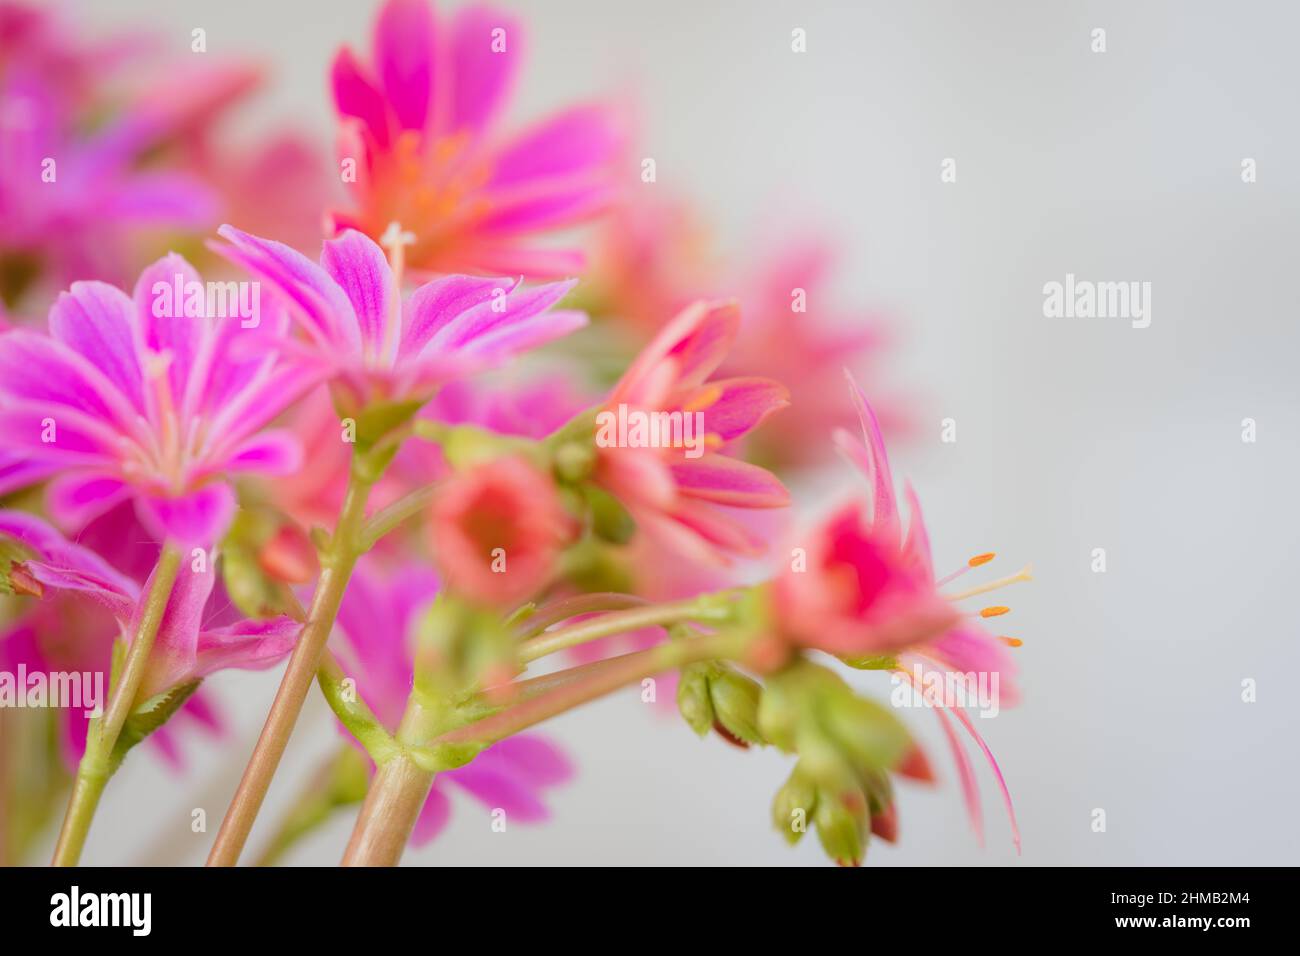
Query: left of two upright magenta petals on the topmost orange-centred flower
404, 58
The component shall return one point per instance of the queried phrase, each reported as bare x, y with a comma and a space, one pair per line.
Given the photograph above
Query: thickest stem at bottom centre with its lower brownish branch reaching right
400, 789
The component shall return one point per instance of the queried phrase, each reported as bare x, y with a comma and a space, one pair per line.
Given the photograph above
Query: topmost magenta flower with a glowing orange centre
421, 126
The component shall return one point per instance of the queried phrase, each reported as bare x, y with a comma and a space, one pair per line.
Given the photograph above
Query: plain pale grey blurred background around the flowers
1072, 434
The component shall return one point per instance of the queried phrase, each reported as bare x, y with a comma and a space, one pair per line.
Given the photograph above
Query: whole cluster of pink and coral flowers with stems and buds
414, 456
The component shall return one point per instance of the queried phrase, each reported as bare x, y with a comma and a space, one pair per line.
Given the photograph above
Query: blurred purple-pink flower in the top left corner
85, 170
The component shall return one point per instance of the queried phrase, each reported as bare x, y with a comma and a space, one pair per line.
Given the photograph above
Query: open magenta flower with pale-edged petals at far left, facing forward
146, 400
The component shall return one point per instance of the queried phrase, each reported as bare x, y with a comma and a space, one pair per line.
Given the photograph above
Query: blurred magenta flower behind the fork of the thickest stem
375, 626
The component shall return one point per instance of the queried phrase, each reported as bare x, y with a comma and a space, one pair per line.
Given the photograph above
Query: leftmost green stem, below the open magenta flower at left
96, 767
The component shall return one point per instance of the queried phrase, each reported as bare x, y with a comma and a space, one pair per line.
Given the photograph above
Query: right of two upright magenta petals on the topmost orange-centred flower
482, 79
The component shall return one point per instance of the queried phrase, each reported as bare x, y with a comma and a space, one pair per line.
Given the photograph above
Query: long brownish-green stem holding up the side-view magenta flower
346, 547
